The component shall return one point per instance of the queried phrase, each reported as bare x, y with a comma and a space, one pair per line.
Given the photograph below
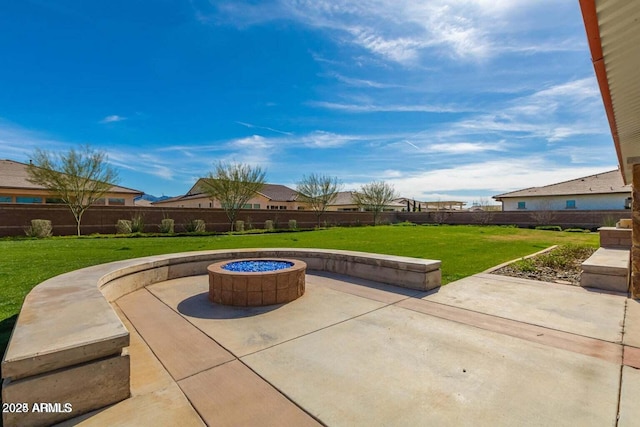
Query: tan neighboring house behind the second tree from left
271, 196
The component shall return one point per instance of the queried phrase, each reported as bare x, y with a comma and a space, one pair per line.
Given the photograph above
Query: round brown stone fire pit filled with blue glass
256, 282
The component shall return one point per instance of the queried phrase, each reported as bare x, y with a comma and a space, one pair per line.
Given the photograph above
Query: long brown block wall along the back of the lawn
14, 219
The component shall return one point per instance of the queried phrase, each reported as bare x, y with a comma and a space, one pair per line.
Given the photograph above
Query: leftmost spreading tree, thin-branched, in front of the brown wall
78, 178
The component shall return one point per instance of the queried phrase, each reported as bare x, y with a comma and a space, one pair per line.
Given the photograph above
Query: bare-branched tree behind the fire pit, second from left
233, 184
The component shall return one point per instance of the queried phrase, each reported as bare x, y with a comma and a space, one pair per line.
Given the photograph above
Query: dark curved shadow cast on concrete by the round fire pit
199, 306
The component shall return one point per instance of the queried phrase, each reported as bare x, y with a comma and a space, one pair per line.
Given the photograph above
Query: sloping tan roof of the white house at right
601, 183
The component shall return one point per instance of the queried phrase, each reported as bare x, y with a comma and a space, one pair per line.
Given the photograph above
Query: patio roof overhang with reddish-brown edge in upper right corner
613, 35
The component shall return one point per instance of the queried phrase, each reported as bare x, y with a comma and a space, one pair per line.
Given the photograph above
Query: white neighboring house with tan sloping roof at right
603, 191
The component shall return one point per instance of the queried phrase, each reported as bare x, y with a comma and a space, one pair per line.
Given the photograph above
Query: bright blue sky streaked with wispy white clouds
444, 99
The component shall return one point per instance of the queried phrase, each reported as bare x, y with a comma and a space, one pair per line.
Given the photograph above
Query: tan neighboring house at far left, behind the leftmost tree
16, 188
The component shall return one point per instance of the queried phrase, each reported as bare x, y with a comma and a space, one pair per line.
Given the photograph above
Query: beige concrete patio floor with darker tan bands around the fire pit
485, 350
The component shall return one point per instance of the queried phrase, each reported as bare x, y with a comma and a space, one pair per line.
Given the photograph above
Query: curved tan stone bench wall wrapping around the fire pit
70, 347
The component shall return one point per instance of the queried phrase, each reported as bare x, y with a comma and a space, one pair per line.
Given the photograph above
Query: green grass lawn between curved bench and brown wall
463, 250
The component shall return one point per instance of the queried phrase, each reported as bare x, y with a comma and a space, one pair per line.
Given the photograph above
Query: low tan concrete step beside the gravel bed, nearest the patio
606, 269
